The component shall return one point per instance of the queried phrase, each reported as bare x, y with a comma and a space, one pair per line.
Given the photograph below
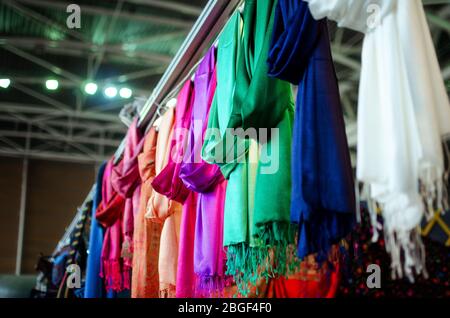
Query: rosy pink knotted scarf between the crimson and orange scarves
125, 179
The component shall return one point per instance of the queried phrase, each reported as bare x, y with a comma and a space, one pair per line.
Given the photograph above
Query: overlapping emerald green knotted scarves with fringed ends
257, 229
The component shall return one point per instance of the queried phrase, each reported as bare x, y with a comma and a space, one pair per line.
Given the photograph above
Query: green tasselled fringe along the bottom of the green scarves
274, 254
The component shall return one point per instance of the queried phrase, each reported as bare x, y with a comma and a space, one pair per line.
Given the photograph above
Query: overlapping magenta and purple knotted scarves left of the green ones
201, 265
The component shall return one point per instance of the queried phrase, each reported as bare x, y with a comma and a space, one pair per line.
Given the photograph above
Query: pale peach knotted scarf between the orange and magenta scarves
163, 210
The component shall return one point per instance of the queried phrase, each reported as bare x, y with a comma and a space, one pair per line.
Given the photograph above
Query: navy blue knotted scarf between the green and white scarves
323, 193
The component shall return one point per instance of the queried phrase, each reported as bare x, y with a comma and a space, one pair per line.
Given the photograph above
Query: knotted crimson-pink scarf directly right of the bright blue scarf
110, 214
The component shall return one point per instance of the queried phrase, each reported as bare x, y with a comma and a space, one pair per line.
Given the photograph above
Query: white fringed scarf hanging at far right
403, 112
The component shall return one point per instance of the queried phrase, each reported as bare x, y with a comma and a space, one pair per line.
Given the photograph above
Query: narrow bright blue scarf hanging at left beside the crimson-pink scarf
94, 287
